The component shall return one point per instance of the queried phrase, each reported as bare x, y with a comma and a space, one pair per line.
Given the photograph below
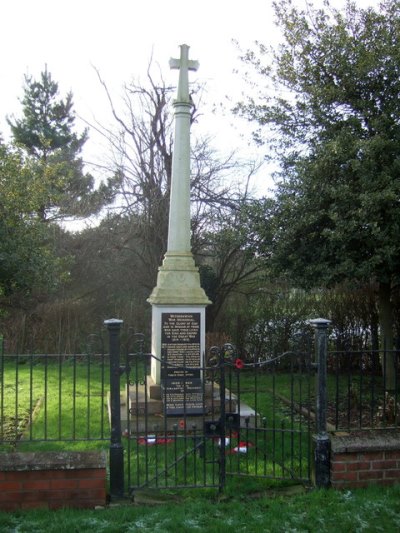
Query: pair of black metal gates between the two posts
256, 420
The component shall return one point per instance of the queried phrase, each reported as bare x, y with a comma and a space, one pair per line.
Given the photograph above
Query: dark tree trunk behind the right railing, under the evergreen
386, 325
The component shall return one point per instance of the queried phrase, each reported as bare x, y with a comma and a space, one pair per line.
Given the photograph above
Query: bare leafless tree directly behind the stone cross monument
141, 161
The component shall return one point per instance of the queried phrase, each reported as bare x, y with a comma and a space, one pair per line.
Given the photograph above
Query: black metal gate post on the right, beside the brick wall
322, 442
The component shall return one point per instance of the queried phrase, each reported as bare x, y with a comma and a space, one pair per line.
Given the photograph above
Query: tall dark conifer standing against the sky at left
45, 133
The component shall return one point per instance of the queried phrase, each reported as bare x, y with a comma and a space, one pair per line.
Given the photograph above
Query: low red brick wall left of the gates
50, 485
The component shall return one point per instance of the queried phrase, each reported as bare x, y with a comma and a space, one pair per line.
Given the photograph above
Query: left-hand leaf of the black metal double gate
168, 451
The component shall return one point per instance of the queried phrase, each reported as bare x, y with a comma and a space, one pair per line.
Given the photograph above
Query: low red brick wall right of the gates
363, 463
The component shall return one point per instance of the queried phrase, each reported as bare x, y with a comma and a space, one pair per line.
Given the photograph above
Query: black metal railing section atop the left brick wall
53, 398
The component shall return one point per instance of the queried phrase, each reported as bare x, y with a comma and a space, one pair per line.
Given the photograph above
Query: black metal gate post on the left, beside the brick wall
116, 448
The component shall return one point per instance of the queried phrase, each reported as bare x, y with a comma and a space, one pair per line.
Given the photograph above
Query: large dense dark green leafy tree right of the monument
334, 119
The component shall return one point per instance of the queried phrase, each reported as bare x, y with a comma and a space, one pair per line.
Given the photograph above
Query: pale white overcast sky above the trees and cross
118, 37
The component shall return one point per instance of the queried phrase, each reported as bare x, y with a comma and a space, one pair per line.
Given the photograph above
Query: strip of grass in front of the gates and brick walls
280, 510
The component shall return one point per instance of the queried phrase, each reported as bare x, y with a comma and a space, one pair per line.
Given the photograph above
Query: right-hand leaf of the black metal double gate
271, 436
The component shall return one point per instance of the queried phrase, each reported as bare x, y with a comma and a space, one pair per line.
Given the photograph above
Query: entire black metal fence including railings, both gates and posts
256, 418
